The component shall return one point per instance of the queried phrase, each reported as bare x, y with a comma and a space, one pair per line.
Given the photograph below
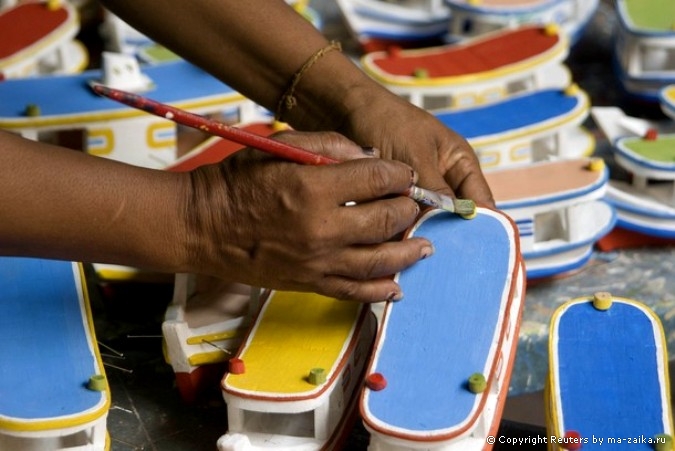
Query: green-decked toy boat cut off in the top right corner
644, 49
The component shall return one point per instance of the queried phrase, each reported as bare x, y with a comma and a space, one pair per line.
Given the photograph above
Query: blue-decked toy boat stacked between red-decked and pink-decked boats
525, 127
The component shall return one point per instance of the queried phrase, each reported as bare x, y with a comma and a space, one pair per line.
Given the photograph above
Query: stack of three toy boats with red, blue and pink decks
511, 96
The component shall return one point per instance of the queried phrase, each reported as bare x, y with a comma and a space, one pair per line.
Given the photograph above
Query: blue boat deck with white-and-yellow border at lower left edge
46, 357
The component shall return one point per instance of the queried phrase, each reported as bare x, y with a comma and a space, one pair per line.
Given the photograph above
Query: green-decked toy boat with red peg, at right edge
646, 202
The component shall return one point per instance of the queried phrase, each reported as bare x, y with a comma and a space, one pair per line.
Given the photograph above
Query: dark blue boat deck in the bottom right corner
609, 380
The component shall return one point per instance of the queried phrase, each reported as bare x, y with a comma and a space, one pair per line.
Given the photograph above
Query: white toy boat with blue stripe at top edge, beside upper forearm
380, 22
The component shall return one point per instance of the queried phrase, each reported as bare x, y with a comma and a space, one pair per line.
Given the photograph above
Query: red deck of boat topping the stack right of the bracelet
481, 56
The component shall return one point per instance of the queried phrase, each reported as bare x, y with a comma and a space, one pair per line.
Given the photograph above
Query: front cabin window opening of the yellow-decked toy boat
293, 424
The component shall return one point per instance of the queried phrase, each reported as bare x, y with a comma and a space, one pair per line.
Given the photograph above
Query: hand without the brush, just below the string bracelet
444, 160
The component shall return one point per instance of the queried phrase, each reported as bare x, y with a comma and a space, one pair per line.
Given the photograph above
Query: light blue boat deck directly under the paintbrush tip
444, 328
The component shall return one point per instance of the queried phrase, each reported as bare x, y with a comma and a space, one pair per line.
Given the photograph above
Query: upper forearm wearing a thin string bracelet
255, 46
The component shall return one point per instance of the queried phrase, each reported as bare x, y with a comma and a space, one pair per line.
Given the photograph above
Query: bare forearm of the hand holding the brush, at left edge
59, 203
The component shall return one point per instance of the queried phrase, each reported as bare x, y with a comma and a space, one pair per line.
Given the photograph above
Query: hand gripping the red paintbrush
275, 224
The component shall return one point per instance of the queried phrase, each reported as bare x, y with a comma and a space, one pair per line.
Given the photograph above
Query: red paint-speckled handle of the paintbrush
271, 146
